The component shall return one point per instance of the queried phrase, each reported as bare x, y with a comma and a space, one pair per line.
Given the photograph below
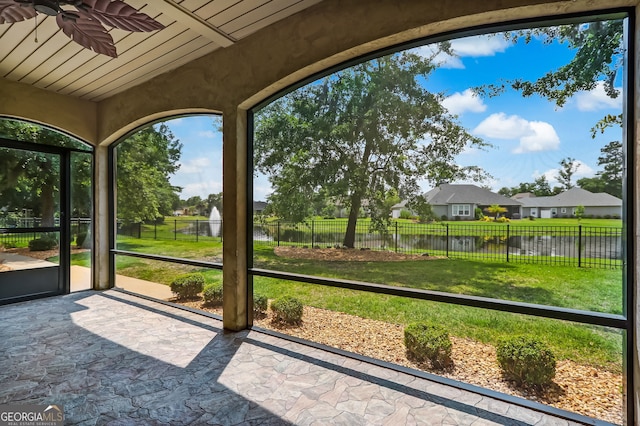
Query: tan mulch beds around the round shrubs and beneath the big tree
583, 389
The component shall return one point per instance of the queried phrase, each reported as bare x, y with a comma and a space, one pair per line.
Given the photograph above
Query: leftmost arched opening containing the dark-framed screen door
46, 225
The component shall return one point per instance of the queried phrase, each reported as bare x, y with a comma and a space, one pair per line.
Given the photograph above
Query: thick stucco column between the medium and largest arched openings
234, 229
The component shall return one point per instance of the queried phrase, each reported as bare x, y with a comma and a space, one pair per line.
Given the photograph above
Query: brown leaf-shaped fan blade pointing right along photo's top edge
118, 14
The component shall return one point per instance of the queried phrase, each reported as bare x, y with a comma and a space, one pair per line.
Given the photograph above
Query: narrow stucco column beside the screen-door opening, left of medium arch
101, 219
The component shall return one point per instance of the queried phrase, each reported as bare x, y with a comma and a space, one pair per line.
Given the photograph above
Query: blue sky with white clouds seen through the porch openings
530, 136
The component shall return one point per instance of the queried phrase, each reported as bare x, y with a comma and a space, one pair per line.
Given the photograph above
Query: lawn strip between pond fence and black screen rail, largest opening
578, 288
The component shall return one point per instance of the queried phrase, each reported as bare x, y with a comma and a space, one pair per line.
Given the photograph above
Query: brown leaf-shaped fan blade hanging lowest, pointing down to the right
88, 33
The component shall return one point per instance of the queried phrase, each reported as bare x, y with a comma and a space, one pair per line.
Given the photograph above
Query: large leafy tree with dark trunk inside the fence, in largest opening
356, 134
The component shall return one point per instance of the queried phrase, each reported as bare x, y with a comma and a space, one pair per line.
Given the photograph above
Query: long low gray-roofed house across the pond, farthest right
565, 204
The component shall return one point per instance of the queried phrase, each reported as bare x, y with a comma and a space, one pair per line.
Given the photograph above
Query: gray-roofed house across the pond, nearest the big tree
460, 201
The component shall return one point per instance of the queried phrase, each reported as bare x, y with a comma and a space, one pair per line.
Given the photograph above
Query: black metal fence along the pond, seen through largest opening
582, 246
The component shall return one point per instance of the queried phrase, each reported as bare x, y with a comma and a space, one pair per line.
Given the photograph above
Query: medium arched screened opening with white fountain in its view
167, 198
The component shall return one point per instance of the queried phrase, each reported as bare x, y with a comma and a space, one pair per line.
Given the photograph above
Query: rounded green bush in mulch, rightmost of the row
526, 360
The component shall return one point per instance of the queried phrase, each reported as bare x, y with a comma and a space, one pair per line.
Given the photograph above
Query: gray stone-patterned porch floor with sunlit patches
110, 358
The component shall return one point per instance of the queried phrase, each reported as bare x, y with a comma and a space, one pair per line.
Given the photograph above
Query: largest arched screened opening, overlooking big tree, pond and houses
419, 184
